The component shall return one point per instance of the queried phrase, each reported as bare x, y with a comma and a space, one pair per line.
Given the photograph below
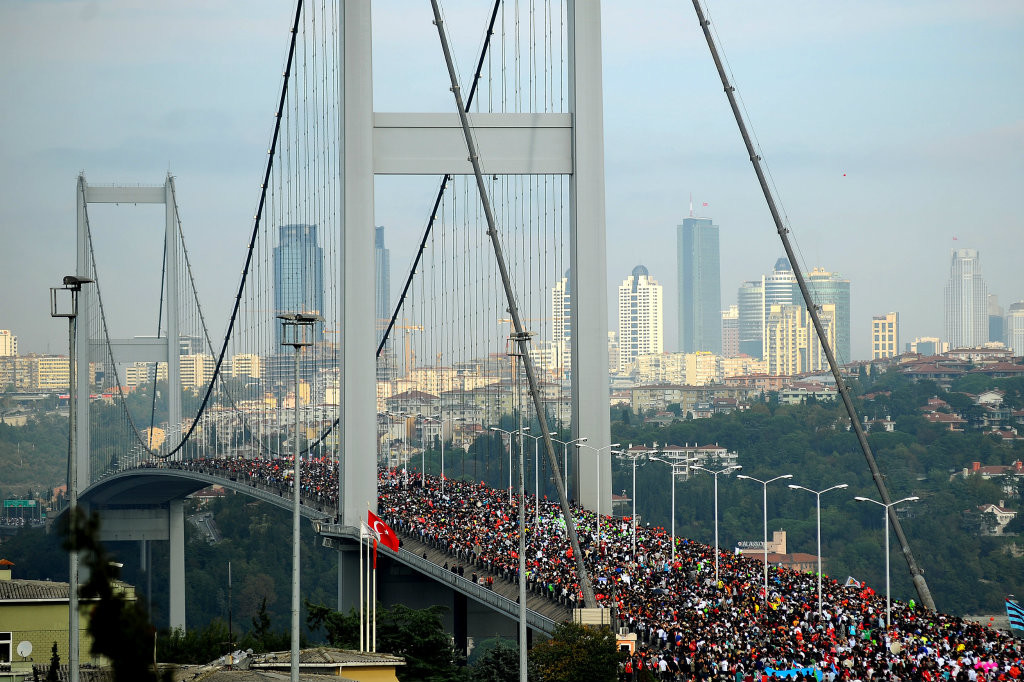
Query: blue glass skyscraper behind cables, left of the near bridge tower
298, 274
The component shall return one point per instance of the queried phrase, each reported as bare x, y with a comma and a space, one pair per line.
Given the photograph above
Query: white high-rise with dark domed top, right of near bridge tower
641, 318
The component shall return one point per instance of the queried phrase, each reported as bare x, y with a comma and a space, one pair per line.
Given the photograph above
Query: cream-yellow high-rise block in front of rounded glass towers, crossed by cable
791, 344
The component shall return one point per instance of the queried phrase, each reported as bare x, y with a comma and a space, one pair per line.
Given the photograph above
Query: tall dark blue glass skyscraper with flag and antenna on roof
700, 286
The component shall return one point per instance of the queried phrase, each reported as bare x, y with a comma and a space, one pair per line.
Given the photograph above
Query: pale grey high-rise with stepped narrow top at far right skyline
967, 302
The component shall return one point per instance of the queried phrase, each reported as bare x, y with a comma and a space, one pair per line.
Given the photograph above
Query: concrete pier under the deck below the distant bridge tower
162, 524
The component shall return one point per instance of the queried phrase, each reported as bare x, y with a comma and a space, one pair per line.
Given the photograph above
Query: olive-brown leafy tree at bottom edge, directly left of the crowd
577, 654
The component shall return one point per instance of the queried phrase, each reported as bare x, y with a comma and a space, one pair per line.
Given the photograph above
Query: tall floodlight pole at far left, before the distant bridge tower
72, 285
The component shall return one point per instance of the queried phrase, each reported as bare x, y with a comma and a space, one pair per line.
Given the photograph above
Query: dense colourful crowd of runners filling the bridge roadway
689, 627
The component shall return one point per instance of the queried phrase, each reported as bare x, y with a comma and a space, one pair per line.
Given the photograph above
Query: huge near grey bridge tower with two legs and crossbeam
570, 144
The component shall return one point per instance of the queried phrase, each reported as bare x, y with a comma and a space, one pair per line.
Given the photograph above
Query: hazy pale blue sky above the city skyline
890, 129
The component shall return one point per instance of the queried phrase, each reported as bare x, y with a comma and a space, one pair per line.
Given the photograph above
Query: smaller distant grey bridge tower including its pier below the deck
165, 522
